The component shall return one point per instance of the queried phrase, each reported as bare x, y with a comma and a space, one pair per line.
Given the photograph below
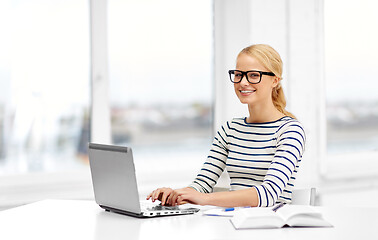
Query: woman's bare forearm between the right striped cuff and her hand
238, 198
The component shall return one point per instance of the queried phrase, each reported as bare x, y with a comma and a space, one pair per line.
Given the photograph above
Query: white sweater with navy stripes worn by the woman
265, 156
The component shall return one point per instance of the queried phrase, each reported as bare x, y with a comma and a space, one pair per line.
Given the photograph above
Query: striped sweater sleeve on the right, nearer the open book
289, 150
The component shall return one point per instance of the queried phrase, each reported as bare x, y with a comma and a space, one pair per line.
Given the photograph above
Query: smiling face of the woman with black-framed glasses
252, 94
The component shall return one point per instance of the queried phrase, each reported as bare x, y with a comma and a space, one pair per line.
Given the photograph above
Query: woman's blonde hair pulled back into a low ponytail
272, 61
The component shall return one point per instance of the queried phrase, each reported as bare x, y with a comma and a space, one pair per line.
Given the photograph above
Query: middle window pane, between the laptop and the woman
160, 55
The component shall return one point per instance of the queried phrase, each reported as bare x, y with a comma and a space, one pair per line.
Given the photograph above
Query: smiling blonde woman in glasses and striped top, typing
261, 152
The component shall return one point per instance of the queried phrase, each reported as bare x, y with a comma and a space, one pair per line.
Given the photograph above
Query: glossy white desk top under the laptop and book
72, 219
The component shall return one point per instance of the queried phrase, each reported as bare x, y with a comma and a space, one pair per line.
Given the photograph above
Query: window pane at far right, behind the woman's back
351, 62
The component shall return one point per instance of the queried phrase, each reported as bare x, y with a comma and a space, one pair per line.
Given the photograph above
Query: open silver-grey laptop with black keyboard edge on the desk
115, 185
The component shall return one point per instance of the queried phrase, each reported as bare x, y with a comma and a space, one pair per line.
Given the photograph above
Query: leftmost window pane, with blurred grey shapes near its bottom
44, 78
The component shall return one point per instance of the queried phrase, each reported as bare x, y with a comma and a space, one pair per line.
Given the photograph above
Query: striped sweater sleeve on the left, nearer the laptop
214, 165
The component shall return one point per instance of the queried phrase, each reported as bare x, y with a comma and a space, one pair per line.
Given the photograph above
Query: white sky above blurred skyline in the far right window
351, 50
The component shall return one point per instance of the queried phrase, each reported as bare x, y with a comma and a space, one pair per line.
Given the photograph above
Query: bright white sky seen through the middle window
162, 55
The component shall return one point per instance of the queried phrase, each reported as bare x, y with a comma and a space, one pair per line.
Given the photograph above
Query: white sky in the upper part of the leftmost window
43, 52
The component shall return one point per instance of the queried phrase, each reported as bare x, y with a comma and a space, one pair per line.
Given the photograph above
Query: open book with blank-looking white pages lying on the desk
288, 215
